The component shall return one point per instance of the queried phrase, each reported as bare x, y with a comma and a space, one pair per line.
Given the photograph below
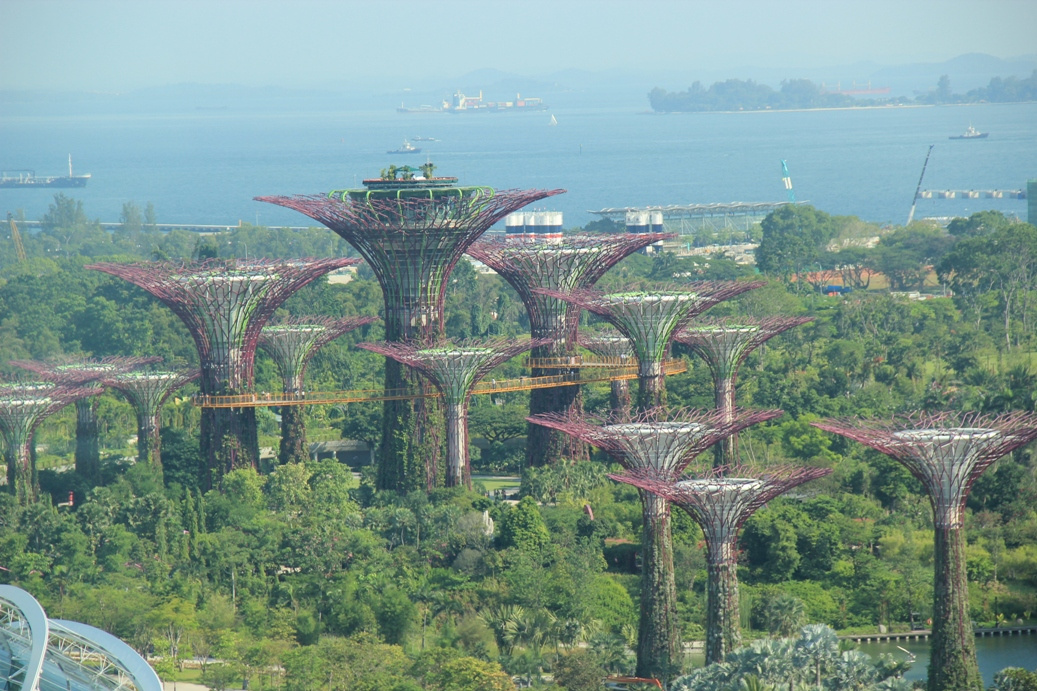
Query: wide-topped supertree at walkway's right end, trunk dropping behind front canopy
650, 319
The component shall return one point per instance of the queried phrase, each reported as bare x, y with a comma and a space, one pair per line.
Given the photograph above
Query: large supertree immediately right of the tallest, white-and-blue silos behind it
575, 262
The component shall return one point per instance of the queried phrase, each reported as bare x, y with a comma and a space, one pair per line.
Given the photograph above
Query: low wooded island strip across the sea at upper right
736, 95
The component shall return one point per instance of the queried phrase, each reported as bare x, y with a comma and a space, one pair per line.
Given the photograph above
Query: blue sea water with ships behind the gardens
205, 165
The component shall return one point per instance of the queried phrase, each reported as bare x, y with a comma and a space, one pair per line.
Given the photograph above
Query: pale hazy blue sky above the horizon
115, 45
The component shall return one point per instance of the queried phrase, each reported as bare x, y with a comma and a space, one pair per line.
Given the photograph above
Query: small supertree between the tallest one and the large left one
292, 344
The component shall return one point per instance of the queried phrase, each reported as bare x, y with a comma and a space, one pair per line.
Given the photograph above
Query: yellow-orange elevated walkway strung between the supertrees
602, 373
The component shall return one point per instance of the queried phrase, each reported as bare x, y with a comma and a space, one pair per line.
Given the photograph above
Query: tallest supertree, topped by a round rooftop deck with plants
412, 233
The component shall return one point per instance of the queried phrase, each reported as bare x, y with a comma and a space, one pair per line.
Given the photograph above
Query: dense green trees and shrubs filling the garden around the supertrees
305, 577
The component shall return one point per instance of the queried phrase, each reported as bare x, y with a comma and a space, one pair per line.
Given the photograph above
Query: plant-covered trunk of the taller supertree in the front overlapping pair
660, 652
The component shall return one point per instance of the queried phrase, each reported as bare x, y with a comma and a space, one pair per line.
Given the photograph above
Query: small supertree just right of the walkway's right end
725, 345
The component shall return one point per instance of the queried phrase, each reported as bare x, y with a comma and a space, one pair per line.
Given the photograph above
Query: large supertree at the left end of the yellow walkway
225, 305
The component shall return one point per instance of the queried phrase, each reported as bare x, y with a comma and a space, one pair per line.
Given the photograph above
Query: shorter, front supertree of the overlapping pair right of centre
721, 501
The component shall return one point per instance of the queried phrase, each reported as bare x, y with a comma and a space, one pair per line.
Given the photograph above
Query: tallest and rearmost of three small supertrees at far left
73, 372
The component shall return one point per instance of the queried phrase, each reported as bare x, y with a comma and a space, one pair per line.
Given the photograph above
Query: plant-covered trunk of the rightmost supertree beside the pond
952, 658
